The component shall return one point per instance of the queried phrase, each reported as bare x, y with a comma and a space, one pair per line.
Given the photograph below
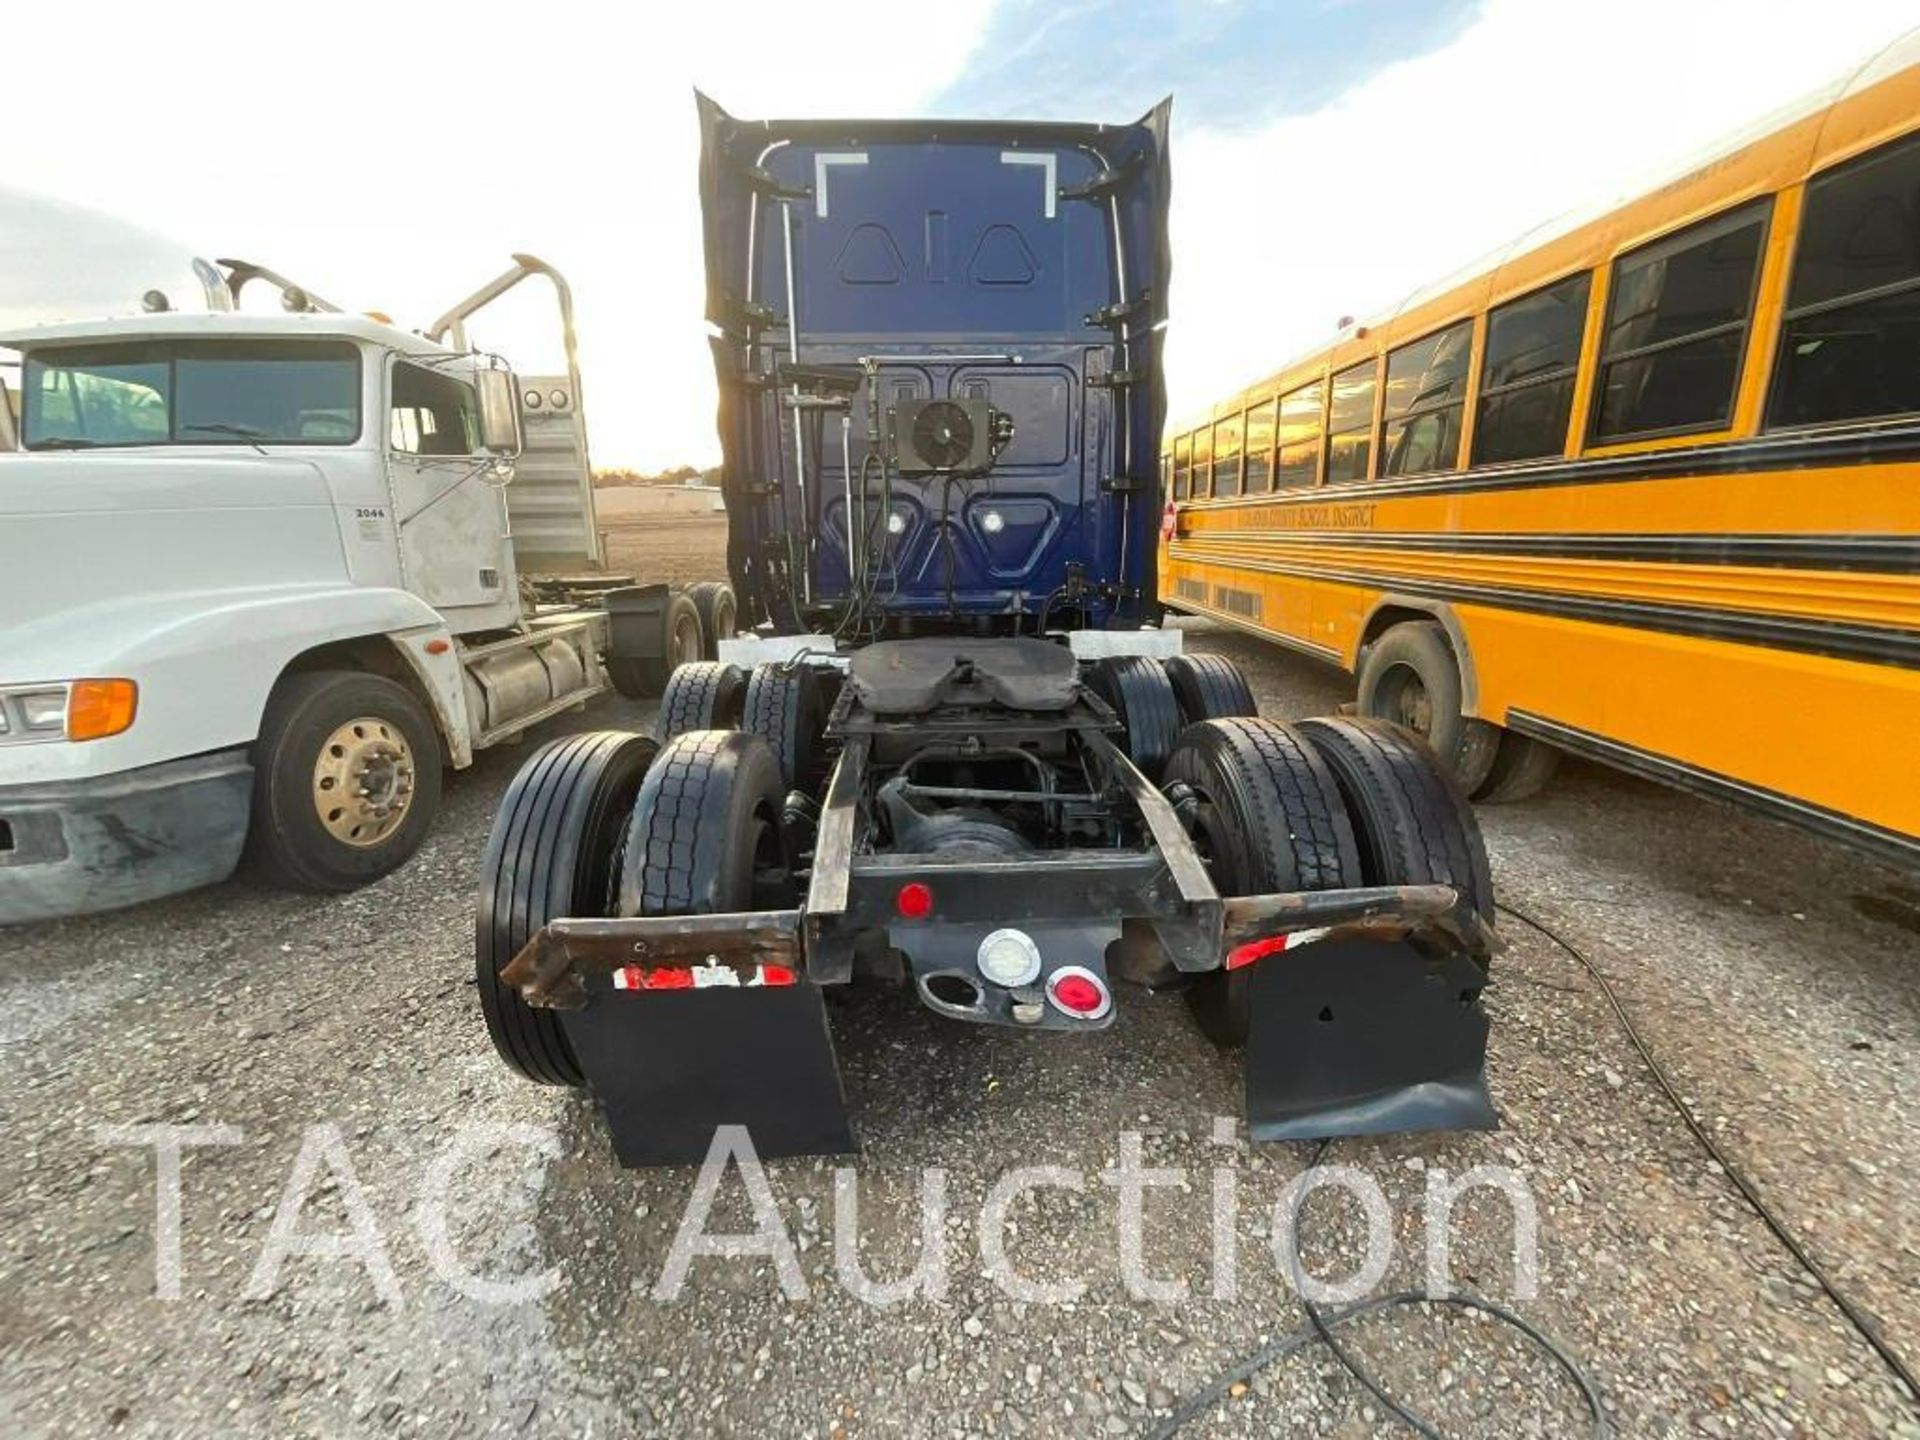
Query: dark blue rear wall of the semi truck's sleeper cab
857, 266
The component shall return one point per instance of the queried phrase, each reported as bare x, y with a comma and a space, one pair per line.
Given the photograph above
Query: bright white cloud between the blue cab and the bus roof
1437, 160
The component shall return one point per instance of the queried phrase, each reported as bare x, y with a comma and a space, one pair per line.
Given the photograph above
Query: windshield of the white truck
195, 393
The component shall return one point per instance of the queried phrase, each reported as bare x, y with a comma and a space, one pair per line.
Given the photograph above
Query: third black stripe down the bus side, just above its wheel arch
1835, 638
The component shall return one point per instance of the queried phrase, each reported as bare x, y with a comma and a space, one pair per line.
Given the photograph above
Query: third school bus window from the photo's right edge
1533, 350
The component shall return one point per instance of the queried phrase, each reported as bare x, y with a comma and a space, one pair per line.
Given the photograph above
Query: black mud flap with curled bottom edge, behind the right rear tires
1366, 1038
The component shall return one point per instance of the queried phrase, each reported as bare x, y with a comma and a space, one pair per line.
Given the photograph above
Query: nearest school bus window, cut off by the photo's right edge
1852, 343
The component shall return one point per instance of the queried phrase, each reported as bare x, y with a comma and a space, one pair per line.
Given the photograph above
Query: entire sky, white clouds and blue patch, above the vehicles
1328, 155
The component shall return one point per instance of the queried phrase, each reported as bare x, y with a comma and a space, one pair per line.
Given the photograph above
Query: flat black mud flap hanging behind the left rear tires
669, 1067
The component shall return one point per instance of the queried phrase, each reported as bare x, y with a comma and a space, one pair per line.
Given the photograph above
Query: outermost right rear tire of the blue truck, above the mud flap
1412, 821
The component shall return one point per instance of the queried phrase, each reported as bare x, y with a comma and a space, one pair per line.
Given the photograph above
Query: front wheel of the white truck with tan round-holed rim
347, 780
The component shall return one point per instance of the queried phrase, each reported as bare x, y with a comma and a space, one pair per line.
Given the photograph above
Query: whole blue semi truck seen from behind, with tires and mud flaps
953, 752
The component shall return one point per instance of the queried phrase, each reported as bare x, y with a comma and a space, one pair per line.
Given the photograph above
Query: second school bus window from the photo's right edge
1677, 325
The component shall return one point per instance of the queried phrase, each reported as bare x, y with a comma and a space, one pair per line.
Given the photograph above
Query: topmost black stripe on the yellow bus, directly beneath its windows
1883, 446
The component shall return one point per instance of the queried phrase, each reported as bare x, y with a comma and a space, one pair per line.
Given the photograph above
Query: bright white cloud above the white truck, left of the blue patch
393, 156
